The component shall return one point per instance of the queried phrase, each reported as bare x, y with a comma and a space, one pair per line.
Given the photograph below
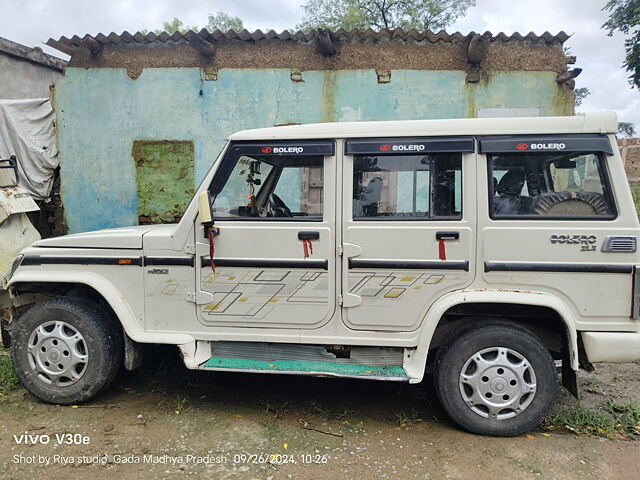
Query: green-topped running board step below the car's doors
306, 367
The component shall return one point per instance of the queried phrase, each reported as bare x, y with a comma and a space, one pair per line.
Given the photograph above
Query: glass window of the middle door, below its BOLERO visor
407, 186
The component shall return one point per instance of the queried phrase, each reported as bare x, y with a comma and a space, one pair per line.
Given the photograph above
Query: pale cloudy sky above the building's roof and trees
32, 22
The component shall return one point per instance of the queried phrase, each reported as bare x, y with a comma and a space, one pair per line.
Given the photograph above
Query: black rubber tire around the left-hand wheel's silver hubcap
103, 342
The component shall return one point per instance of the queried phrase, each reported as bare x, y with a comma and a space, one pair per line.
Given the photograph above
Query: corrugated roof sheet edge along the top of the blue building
68, 45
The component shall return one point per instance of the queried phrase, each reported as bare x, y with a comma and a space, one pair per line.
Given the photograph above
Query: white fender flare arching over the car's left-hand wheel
118, 302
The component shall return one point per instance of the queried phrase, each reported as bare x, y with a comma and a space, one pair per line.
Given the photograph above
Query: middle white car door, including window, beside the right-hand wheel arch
408, 228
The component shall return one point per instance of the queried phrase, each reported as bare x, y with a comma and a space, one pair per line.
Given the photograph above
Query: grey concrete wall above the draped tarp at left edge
20, 78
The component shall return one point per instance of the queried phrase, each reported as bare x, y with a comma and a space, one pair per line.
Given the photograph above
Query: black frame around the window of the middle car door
430, 218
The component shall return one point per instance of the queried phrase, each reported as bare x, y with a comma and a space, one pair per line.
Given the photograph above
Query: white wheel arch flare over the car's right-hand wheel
415, 365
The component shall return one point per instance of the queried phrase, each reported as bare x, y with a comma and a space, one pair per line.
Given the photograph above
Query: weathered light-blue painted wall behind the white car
101, 111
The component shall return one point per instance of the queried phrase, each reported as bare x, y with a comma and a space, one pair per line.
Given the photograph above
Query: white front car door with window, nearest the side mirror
275, 261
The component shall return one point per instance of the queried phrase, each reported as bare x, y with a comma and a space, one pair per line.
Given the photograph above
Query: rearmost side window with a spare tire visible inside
550, 185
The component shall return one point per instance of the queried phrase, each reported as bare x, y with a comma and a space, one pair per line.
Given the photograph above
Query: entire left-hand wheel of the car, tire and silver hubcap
65, 350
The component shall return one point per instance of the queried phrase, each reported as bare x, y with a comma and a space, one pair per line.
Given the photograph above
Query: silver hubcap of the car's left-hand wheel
58, 353
